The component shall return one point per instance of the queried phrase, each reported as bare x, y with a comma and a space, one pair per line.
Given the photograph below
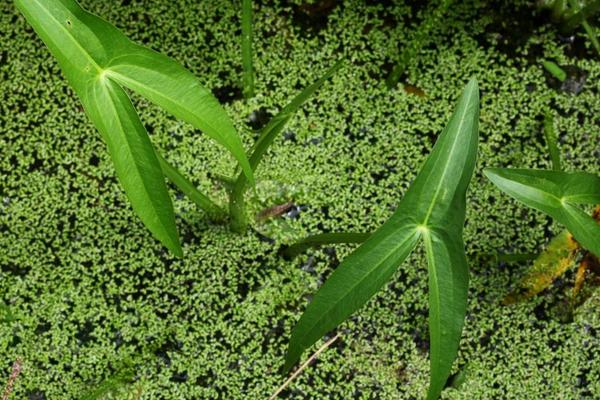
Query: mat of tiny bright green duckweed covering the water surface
89, 288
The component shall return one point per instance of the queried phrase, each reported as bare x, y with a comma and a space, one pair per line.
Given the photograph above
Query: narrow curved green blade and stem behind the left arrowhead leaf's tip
268, 134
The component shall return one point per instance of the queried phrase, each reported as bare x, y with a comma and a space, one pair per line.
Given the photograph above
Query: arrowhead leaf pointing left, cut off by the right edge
555, 193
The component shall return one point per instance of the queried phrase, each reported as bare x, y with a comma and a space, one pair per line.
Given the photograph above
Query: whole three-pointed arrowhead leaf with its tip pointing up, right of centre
433, 208
